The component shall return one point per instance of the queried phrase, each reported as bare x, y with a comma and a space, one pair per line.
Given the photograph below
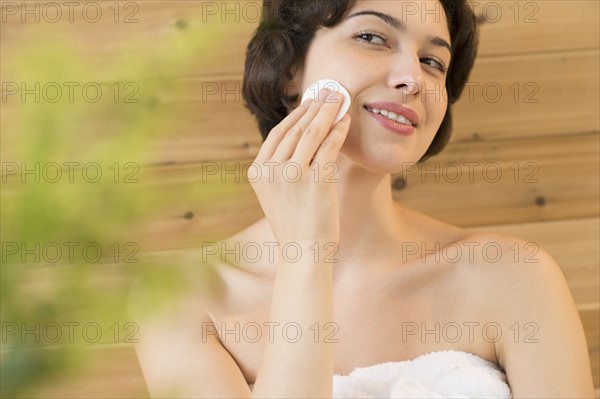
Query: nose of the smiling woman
406, 74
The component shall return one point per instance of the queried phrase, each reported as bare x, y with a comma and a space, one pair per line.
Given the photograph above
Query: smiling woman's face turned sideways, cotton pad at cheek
378, 62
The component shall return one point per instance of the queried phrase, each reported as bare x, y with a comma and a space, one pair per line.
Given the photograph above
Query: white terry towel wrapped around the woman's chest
441, 374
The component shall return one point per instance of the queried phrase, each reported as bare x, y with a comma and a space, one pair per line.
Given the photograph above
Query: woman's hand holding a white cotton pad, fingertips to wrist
297, 186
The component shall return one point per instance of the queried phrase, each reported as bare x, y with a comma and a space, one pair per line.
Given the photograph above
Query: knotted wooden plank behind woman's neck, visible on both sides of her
565, 168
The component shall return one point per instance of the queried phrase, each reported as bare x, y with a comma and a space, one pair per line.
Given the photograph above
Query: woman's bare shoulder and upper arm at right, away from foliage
542, 344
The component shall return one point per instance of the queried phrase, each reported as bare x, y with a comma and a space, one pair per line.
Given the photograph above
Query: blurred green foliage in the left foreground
37, 212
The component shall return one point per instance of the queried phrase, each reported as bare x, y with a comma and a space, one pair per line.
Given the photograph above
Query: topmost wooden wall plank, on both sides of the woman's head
510, 27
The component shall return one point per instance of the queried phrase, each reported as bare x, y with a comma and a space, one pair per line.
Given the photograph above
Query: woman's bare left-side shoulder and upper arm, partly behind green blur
179, 350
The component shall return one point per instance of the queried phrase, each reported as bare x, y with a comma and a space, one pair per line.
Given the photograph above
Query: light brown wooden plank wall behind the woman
544, 126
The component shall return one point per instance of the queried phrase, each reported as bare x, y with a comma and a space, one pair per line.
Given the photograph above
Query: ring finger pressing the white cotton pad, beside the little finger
318, 129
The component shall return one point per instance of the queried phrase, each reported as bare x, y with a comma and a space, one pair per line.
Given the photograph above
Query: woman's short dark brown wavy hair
281, 41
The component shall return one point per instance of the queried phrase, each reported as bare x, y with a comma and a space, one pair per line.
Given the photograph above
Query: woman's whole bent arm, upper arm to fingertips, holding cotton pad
179, 358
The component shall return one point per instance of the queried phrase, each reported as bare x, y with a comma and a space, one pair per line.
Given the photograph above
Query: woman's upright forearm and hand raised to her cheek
303, 213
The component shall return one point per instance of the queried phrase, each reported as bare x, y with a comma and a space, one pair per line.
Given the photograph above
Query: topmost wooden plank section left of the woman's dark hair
107, 34
